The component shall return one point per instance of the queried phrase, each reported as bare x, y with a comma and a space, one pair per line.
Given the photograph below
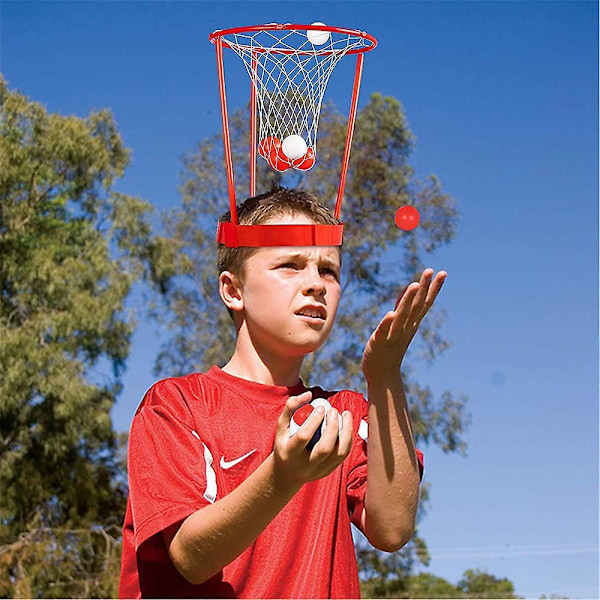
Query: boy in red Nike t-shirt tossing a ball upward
223, 502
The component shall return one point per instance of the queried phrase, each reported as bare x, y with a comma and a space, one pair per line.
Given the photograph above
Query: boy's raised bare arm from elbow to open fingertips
392, 495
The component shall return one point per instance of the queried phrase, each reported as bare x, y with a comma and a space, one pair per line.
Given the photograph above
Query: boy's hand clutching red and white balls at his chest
294, 463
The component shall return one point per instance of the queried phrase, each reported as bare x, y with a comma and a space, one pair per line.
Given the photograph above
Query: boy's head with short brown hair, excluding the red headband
255, 281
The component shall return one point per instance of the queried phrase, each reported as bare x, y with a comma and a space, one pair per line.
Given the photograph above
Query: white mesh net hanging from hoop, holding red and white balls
290, 70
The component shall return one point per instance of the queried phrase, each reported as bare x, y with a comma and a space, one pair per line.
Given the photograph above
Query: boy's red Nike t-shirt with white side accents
193, 440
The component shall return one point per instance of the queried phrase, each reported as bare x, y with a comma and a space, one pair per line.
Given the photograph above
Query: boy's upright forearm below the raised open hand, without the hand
392, 495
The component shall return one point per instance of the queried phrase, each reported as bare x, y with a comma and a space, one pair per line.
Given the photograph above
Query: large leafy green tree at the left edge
72, 248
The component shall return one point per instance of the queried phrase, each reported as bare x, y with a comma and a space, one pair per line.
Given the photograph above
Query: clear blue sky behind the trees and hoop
503, 100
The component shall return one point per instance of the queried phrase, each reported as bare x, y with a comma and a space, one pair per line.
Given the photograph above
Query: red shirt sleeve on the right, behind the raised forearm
356, 485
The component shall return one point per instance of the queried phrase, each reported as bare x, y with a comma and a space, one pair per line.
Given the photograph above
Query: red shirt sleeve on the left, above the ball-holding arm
169, 467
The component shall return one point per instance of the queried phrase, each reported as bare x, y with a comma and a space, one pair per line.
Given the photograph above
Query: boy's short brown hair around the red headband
260, 209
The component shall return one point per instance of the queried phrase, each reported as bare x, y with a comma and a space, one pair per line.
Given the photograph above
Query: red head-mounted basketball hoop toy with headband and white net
289, 67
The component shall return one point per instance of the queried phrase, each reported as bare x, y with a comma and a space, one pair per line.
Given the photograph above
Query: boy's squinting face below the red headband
280, 282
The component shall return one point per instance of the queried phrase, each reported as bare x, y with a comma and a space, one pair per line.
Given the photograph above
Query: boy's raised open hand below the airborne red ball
387, 345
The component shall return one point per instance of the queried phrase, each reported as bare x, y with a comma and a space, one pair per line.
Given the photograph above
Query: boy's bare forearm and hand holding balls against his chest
215, 535
